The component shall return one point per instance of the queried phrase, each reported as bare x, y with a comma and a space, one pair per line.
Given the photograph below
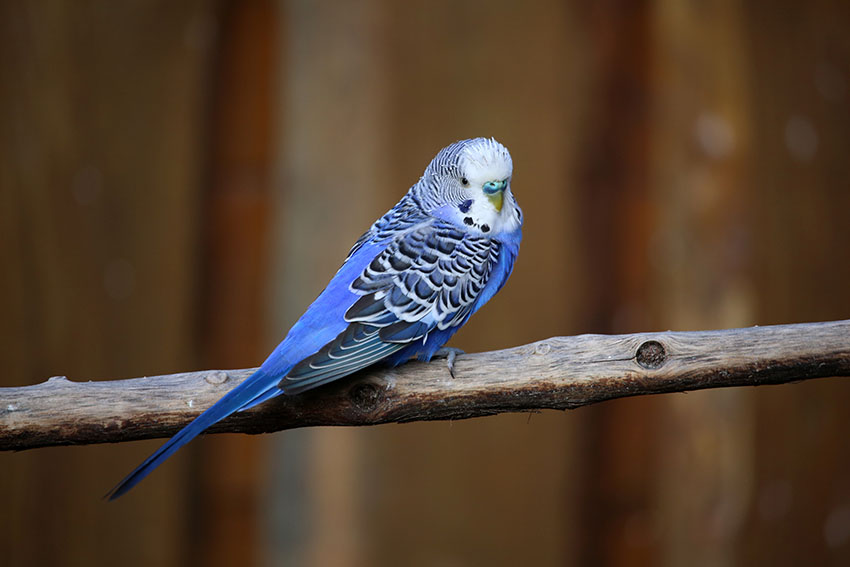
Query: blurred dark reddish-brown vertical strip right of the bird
618, 439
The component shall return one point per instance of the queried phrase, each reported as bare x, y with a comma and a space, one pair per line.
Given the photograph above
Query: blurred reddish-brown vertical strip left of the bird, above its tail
229, 492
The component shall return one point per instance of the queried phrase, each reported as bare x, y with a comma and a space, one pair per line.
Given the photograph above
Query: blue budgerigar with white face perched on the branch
407, 285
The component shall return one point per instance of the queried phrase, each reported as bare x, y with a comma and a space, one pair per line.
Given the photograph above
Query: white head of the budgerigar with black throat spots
469, 183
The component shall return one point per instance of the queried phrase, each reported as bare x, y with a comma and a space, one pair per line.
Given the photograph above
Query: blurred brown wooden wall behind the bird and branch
178, 180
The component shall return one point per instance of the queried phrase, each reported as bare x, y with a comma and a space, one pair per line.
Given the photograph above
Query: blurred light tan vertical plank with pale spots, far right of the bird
701, 276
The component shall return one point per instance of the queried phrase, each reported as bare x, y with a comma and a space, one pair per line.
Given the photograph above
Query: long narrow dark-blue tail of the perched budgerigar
256, 386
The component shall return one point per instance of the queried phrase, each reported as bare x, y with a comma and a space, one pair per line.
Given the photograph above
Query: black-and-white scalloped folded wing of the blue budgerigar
428, 277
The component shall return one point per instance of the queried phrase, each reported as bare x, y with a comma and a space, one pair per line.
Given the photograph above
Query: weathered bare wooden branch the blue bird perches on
557, 373
